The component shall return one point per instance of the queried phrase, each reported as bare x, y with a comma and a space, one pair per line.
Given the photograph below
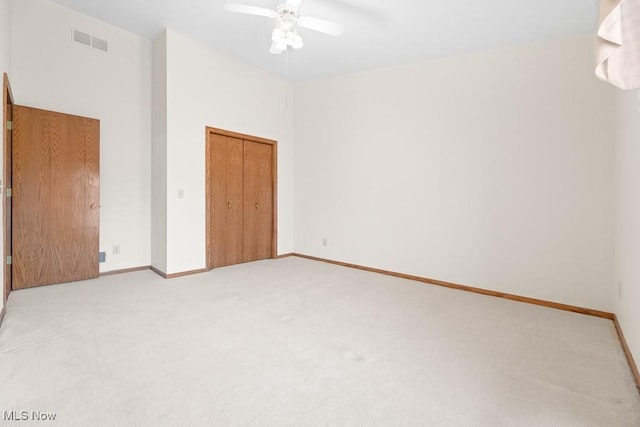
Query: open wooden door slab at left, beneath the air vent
55, 197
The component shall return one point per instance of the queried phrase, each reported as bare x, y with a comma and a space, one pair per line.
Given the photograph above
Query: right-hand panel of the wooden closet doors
258, 201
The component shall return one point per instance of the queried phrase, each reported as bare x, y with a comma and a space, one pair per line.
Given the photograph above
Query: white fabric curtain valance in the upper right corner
618, 43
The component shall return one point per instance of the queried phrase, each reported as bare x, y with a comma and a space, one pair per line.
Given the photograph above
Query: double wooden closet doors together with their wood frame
241, 198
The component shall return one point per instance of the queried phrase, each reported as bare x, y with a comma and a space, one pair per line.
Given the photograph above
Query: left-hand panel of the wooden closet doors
226, 188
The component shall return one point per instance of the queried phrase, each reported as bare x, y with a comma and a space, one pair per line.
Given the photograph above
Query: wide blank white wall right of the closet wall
493, 170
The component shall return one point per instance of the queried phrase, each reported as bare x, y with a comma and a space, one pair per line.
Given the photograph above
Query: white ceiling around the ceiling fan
377, 33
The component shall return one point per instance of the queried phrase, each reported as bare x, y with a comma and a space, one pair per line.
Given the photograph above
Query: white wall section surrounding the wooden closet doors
206, 88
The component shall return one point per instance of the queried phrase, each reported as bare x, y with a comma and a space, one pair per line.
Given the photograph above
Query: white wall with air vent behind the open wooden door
52, 72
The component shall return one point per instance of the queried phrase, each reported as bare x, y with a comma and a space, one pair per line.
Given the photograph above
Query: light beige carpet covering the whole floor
294, 342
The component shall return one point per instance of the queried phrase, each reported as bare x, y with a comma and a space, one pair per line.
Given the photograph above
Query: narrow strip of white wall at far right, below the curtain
627, 222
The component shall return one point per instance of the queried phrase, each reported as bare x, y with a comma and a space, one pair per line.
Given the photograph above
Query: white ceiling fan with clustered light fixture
285, 34
